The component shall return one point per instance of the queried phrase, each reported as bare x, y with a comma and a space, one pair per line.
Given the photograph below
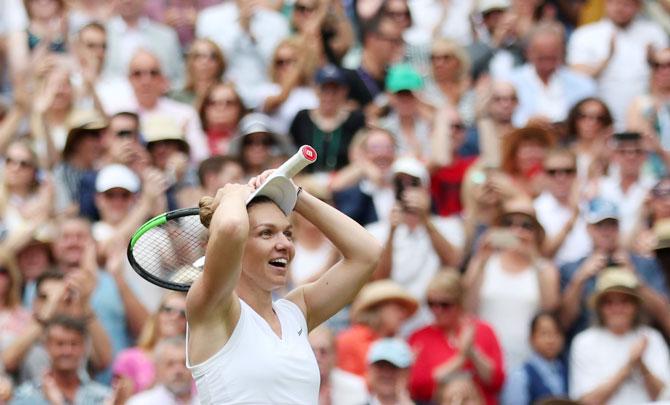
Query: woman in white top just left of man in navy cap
291, 72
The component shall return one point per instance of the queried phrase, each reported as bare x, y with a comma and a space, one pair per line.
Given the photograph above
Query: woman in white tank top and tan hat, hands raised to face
507, 280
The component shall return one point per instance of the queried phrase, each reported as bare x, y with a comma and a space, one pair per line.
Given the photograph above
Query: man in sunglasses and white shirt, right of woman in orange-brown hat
558, 211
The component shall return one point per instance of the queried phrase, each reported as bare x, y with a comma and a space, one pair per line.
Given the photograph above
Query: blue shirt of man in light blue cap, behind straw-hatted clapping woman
648, 270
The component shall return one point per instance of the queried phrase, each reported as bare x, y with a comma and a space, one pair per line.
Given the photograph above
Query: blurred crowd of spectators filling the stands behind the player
511, 156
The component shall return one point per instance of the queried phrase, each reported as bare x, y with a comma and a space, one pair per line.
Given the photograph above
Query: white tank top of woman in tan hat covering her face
508, 301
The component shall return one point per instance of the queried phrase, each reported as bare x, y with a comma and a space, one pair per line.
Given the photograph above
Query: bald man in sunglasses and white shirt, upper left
148, 86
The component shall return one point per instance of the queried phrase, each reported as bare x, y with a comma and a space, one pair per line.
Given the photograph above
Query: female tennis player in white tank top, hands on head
243, 348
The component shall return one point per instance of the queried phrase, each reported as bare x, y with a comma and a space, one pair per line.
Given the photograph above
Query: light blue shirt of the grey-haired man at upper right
552, 100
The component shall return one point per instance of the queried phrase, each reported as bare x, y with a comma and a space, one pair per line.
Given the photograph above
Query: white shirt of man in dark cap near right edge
629, 203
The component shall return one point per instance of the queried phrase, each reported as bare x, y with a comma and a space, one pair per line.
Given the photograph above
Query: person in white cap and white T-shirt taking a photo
416, 243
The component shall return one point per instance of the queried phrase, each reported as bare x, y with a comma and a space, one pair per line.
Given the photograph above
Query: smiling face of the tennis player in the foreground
269, 249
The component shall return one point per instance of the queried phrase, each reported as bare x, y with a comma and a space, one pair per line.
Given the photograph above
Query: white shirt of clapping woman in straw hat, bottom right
597, 354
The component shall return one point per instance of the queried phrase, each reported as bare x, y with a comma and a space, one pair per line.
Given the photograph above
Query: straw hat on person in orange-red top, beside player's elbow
380, 291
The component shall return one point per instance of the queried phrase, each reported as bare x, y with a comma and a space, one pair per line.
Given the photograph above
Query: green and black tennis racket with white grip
169, 249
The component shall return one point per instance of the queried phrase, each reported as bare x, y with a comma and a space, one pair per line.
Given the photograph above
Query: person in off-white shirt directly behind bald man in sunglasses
130, 30
